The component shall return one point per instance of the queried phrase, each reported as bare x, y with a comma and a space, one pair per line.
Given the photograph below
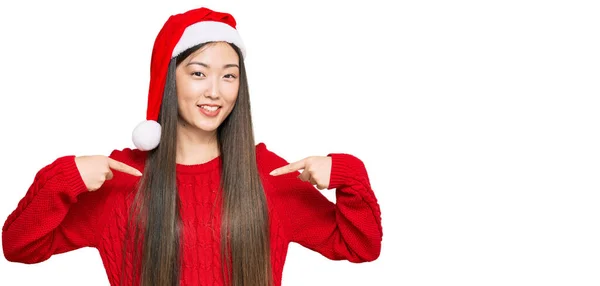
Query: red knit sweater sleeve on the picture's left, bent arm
56, 215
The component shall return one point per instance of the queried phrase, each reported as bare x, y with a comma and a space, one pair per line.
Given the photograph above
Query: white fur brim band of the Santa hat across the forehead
208, 31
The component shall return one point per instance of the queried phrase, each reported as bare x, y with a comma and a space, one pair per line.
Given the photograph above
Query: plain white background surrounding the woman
478, 122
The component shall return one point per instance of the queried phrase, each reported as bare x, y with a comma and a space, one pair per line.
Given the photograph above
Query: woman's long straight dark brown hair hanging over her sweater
154, 213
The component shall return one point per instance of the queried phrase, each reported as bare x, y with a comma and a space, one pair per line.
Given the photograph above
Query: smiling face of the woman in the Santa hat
207, 86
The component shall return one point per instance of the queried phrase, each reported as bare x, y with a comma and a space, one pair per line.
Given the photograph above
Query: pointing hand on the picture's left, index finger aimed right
95, 170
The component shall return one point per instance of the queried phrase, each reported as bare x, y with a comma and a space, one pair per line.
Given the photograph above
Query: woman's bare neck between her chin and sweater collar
194, 145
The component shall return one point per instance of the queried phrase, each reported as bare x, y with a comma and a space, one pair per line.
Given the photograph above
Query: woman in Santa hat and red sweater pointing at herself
197, 202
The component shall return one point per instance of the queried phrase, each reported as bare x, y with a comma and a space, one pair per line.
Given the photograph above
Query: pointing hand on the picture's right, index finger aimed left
317, 170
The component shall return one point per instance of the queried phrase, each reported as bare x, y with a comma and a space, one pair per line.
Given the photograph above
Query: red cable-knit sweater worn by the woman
58, 214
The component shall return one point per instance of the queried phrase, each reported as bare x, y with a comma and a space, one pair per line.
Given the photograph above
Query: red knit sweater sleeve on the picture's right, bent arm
349, 229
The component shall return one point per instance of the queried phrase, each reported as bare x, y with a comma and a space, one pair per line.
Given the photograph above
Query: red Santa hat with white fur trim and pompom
180, 32
